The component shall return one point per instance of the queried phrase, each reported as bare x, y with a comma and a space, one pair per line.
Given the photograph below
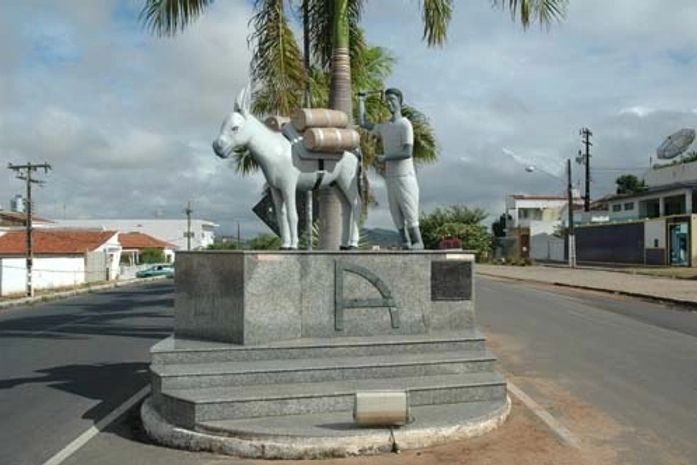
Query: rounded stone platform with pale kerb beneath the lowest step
316, 436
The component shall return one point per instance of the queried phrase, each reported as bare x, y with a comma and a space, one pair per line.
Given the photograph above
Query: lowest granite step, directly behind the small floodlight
186, 407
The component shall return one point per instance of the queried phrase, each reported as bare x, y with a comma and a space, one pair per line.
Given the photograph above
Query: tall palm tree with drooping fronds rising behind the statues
335, 40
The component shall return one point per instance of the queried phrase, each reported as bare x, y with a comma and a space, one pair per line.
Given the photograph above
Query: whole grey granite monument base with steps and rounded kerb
266, 339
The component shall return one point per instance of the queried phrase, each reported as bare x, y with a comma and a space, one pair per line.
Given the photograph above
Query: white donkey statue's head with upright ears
235, 133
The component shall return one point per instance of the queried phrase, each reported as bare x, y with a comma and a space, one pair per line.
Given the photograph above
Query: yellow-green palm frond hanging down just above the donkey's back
277, 65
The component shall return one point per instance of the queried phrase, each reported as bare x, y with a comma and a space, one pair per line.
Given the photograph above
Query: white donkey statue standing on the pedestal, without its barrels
287, 172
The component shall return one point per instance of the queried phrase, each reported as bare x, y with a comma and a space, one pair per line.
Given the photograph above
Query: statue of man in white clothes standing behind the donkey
397, 138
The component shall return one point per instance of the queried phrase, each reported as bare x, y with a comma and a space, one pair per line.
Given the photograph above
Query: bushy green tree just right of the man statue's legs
460, 222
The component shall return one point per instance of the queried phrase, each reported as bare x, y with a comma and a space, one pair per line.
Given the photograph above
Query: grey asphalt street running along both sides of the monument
619, 373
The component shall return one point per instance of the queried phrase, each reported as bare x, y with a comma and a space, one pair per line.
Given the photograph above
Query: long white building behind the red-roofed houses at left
171, 231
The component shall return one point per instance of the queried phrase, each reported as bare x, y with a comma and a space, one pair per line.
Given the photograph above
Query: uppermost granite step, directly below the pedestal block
179, 351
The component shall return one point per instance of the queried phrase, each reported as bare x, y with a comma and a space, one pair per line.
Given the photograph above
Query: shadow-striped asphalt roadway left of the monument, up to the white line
67, 364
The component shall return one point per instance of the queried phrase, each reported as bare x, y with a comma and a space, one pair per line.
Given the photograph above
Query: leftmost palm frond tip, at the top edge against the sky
168, 17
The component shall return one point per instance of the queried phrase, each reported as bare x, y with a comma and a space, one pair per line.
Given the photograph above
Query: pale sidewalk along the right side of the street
666, 289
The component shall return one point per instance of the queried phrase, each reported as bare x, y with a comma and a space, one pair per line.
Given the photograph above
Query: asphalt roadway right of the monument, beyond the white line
619, 372
